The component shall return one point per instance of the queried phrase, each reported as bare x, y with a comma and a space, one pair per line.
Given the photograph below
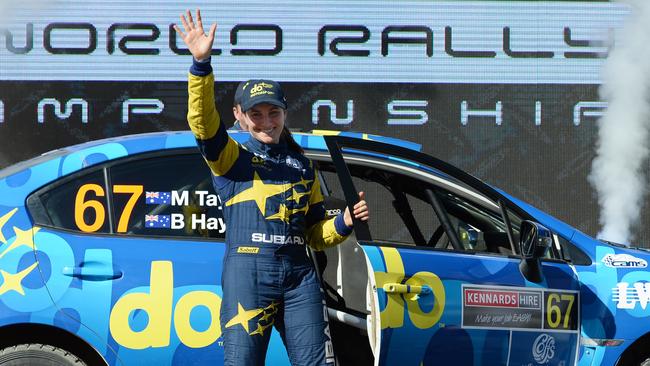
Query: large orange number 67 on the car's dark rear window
82, 203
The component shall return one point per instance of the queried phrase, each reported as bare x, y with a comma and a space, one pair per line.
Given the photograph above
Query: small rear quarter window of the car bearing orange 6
77, 204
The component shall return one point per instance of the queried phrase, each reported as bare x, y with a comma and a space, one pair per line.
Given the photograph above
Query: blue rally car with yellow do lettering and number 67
111, 253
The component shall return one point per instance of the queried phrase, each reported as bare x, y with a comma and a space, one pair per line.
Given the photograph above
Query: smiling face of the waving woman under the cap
265, 122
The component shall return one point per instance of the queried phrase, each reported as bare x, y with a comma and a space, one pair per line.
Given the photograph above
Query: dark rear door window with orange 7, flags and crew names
167, 195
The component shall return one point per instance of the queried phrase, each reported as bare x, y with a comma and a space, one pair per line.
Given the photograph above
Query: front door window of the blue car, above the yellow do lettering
401, 212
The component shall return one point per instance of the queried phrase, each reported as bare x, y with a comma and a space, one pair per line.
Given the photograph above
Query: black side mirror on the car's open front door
534, 244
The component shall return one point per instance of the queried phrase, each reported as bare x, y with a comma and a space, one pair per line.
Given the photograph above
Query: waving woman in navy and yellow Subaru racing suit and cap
273, 206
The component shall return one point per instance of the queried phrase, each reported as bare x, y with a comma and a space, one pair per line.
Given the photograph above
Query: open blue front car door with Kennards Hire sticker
448, 284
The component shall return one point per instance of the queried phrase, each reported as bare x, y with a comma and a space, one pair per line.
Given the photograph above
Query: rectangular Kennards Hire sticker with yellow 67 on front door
519, 308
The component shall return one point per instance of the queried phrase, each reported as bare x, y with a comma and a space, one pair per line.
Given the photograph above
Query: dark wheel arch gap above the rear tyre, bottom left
22, 333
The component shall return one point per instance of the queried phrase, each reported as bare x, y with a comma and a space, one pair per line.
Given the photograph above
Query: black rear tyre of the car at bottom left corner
38, 355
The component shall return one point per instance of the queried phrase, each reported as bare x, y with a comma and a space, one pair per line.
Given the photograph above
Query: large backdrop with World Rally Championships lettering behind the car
506, 90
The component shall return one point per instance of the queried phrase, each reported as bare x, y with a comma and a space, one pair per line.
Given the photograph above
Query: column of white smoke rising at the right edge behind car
619, 172
